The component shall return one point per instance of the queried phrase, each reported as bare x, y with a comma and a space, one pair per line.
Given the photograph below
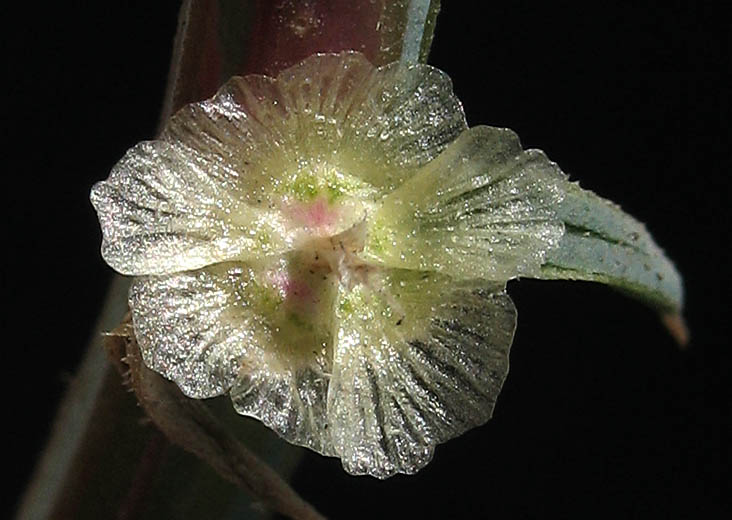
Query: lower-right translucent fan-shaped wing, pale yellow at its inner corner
420, 358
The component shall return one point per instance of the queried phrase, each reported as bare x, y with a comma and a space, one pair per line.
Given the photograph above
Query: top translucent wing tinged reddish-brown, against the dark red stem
329, 113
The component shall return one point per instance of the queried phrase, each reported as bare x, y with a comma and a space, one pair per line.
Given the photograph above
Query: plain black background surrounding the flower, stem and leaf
601, 415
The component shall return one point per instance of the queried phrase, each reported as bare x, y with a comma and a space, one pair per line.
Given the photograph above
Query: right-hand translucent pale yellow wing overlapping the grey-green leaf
484, 208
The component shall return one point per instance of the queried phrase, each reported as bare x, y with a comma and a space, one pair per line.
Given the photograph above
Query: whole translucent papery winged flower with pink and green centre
331, 247
